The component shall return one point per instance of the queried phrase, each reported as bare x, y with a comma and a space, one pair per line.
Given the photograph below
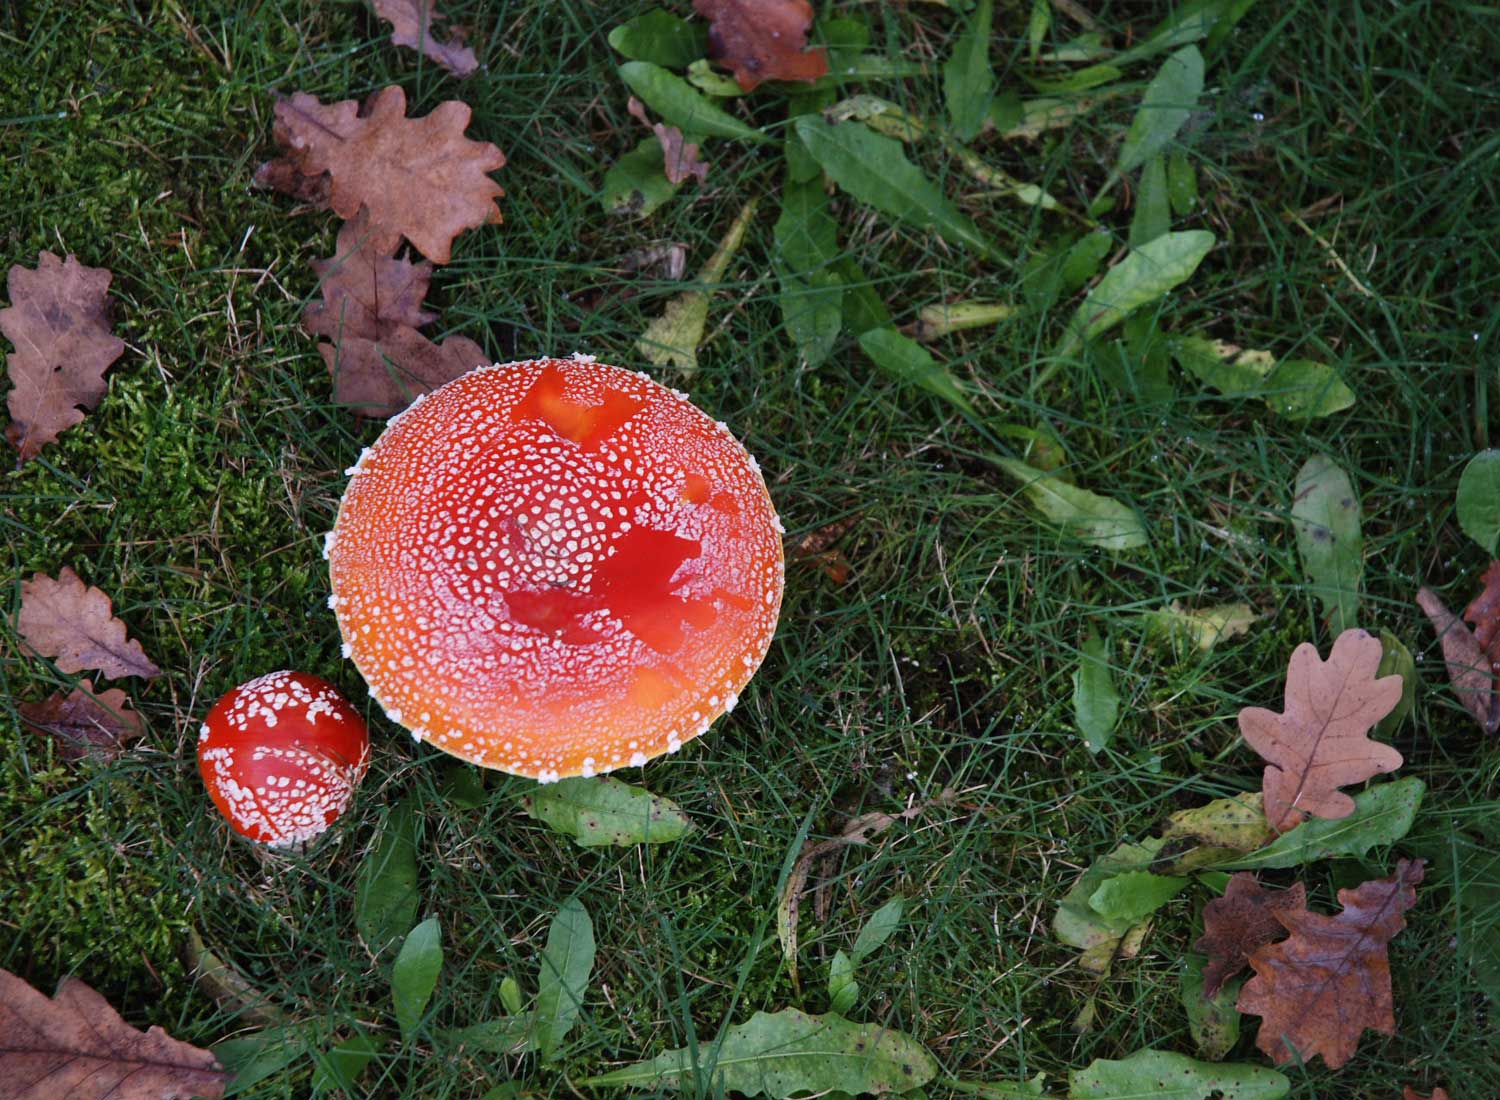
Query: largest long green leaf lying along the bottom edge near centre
790, 1054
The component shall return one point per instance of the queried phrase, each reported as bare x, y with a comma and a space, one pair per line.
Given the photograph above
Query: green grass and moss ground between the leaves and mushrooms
199, 491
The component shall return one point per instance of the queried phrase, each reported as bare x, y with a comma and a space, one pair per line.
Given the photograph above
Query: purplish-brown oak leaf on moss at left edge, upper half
59, 326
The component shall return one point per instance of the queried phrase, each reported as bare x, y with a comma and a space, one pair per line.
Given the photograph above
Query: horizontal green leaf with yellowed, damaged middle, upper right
1300, 389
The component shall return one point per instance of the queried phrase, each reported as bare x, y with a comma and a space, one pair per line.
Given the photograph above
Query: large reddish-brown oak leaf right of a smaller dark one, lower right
1324, 985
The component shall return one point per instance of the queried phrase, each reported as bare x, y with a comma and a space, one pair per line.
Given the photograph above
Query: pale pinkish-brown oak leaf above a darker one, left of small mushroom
76, 627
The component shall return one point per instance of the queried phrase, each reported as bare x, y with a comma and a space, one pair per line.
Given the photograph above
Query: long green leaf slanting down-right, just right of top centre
875, 170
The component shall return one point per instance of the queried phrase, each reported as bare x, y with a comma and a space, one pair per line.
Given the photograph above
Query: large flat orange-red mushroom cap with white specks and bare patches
556, 568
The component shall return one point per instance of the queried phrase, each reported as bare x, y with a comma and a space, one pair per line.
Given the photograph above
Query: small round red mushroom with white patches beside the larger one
281, 757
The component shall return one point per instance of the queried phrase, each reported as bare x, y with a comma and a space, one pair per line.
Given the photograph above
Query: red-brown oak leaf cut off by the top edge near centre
763, 40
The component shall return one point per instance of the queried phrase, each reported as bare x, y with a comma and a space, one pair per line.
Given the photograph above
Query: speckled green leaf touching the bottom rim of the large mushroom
605, 811
